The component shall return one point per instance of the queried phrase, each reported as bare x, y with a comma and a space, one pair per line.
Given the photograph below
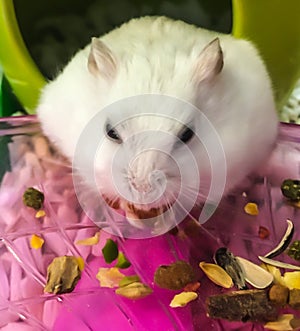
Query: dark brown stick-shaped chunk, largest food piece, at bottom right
246, 305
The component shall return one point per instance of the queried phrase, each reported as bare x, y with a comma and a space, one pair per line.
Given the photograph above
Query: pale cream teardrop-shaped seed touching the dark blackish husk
254, 274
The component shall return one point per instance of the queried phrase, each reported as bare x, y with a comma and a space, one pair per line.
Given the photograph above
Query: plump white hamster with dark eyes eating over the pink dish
145, 79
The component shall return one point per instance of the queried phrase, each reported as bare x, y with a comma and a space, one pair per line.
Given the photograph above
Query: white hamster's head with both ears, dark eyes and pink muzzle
147, 162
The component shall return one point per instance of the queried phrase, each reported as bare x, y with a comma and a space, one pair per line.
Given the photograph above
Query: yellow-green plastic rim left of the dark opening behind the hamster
20, 70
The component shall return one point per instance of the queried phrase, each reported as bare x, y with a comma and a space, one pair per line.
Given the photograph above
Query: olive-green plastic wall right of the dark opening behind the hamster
274, 26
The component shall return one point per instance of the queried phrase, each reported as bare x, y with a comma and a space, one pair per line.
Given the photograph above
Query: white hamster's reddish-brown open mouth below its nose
135, 213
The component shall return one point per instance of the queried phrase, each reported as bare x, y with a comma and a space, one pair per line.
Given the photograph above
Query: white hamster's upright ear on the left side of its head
101, 61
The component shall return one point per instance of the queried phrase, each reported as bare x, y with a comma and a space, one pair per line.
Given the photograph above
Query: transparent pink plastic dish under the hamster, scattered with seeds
26, 161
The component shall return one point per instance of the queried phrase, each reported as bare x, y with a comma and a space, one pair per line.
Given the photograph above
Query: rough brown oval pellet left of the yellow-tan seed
174, 276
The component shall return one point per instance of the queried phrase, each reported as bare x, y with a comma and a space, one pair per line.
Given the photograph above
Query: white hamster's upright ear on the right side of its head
210, 61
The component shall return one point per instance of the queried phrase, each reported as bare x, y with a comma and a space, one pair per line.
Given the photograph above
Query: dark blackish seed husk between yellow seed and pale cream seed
225, 259
